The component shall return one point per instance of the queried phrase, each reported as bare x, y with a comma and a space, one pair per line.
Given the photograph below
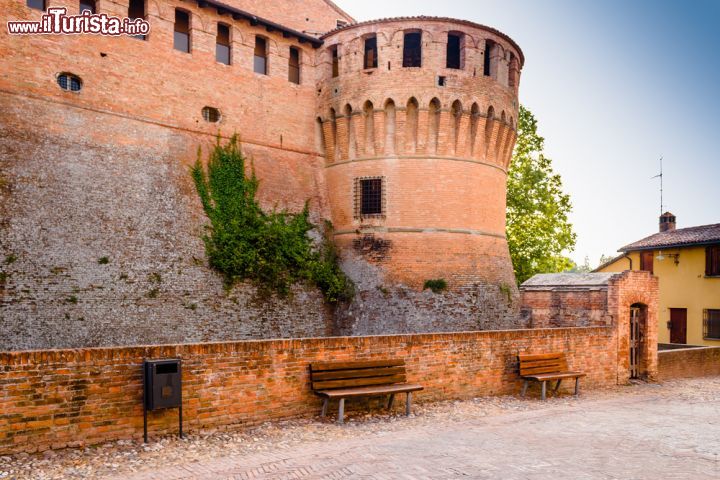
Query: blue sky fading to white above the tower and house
614, 86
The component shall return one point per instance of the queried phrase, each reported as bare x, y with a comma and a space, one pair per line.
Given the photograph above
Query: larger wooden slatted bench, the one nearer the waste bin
343, 380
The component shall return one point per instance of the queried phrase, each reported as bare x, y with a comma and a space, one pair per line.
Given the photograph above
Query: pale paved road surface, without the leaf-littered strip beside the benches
648, 435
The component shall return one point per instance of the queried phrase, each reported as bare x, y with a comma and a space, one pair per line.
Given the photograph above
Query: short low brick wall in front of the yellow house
688, 363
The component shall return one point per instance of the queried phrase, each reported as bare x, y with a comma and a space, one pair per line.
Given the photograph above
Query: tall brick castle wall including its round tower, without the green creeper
103, 173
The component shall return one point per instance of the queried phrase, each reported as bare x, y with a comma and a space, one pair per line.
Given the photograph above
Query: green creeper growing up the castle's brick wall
245, 243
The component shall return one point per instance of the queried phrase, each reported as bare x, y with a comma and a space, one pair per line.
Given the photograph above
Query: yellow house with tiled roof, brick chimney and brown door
687, 262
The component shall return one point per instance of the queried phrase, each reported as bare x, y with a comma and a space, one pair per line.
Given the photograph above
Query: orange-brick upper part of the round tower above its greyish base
417, 119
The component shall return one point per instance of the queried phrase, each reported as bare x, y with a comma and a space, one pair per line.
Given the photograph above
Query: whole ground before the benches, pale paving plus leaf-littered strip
669, 431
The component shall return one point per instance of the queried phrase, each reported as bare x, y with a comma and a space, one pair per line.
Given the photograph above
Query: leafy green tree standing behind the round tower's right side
538, 229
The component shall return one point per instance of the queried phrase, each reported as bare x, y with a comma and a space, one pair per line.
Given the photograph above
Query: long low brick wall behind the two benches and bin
59, 398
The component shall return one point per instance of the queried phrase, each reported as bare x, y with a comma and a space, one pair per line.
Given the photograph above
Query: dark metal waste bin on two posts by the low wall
162, 388
